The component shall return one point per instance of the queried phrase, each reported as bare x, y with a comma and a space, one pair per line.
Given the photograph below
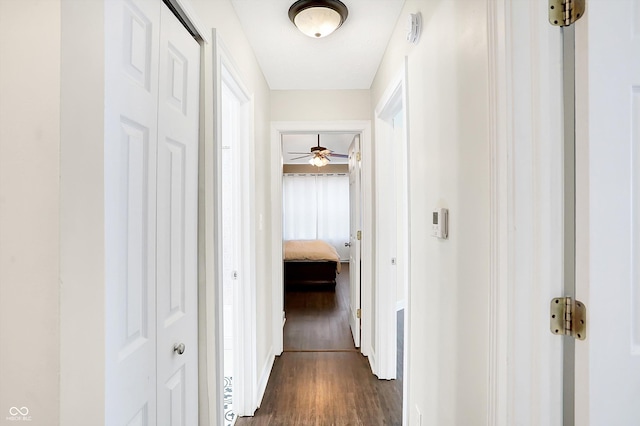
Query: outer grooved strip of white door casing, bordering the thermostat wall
500, 118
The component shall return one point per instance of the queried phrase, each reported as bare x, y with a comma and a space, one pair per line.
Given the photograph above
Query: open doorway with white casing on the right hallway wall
392, 235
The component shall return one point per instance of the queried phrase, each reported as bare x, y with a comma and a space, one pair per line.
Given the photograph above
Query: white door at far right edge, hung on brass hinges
608, 227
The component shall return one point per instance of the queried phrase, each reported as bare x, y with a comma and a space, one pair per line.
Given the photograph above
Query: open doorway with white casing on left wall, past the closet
235, 241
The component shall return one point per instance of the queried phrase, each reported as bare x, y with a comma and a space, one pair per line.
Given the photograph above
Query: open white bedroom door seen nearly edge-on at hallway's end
355, 224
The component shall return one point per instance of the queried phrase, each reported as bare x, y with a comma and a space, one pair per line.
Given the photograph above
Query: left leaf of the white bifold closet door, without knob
131, 119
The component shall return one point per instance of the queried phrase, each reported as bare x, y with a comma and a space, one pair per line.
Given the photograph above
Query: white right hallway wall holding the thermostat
449, 167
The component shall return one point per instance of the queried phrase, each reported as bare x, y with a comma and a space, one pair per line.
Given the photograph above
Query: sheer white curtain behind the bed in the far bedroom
316, 206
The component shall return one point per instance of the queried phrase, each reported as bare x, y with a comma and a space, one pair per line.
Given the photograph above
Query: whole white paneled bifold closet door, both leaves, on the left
151, 143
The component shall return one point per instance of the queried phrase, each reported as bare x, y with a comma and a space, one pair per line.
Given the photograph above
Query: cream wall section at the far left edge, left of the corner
29, 186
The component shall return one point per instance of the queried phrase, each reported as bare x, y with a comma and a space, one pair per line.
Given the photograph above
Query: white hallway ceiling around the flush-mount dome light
346, 59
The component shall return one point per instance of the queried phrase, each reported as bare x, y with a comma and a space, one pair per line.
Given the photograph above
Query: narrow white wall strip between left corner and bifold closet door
82, 291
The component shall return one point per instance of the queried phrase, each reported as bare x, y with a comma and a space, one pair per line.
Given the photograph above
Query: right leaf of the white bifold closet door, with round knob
177, 215
